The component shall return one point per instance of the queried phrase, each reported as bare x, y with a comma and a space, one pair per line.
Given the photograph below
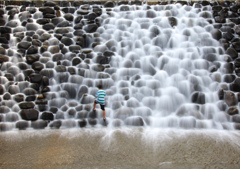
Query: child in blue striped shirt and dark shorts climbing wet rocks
100, 99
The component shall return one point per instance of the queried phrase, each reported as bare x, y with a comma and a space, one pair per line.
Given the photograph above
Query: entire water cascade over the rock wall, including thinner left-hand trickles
159, 65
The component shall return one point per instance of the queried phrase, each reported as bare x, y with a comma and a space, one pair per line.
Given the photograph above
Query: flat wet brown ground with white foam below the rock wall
120, 148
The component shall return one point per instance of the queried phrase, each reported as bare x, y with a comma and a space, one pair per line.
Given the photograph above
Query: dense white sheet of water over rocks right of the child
159, 66
